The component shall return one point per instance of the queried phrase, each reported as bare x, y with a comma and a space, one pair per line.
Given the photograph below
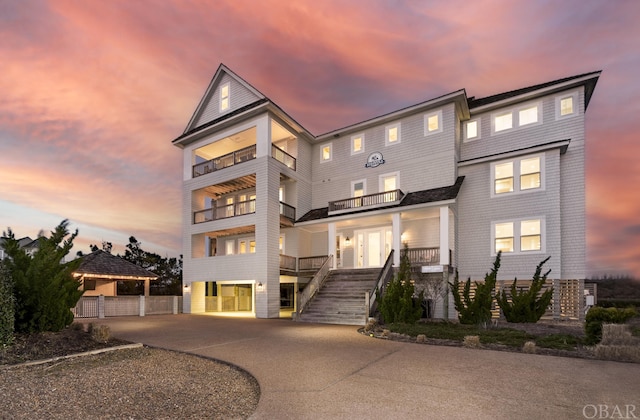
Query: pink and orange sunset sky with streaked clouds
93, 92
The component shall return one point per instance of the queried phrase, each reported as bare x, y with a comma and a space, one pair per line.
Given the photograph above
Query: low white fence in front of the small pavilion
106, 306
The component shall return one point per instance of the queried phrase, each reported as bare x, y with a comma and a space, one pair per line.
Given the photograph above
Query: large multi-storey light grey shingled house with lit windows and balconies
266, 203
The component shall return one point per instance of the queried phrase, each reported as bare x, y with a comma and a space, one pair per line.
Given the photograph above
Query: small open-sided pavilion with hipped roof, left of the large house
100, 272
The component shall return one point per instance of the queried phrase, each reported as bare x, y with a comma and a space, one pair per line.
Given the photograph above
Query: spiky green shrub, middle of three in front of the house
476, 309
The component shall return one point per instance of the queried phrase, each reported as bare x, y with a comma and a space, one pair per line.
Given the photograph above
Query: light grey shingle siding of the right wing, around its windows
561, 203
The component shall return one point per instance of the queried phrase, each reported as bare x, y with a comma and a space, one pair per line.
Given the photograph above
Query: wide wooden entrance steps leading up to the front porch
341, 298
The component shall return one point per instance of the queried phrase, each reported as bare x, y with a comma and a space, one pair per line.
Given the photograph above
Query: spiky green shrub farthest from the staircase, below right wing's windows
526, 306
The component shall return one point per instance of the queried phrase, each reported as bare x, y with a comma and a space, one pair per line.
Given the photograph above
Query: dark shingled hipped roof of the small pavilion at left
100, 264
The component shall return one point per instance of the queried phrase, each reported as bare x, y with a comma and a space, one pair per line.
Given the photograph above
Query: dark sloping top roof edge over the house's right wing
589, 80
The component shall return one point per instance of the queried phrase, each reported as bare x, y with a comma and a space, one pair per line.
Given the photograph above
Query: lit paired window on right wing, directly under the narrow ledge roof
517, 175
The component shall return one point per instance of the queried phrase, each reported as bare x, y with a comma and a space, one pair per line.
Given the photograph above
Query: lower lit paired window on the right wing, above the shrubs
518, 236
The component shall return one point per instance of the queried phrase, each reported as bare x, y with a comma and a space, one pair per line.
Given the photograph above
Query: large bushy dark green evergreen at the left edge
44, 287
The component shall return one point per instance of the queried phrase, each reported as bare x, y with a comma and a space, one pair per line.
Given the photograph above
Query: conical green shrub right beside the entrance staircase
398, 304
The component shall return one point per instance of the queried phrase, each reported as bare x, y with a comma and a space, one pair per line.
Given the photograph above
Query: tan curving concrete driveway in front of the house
309, 371
